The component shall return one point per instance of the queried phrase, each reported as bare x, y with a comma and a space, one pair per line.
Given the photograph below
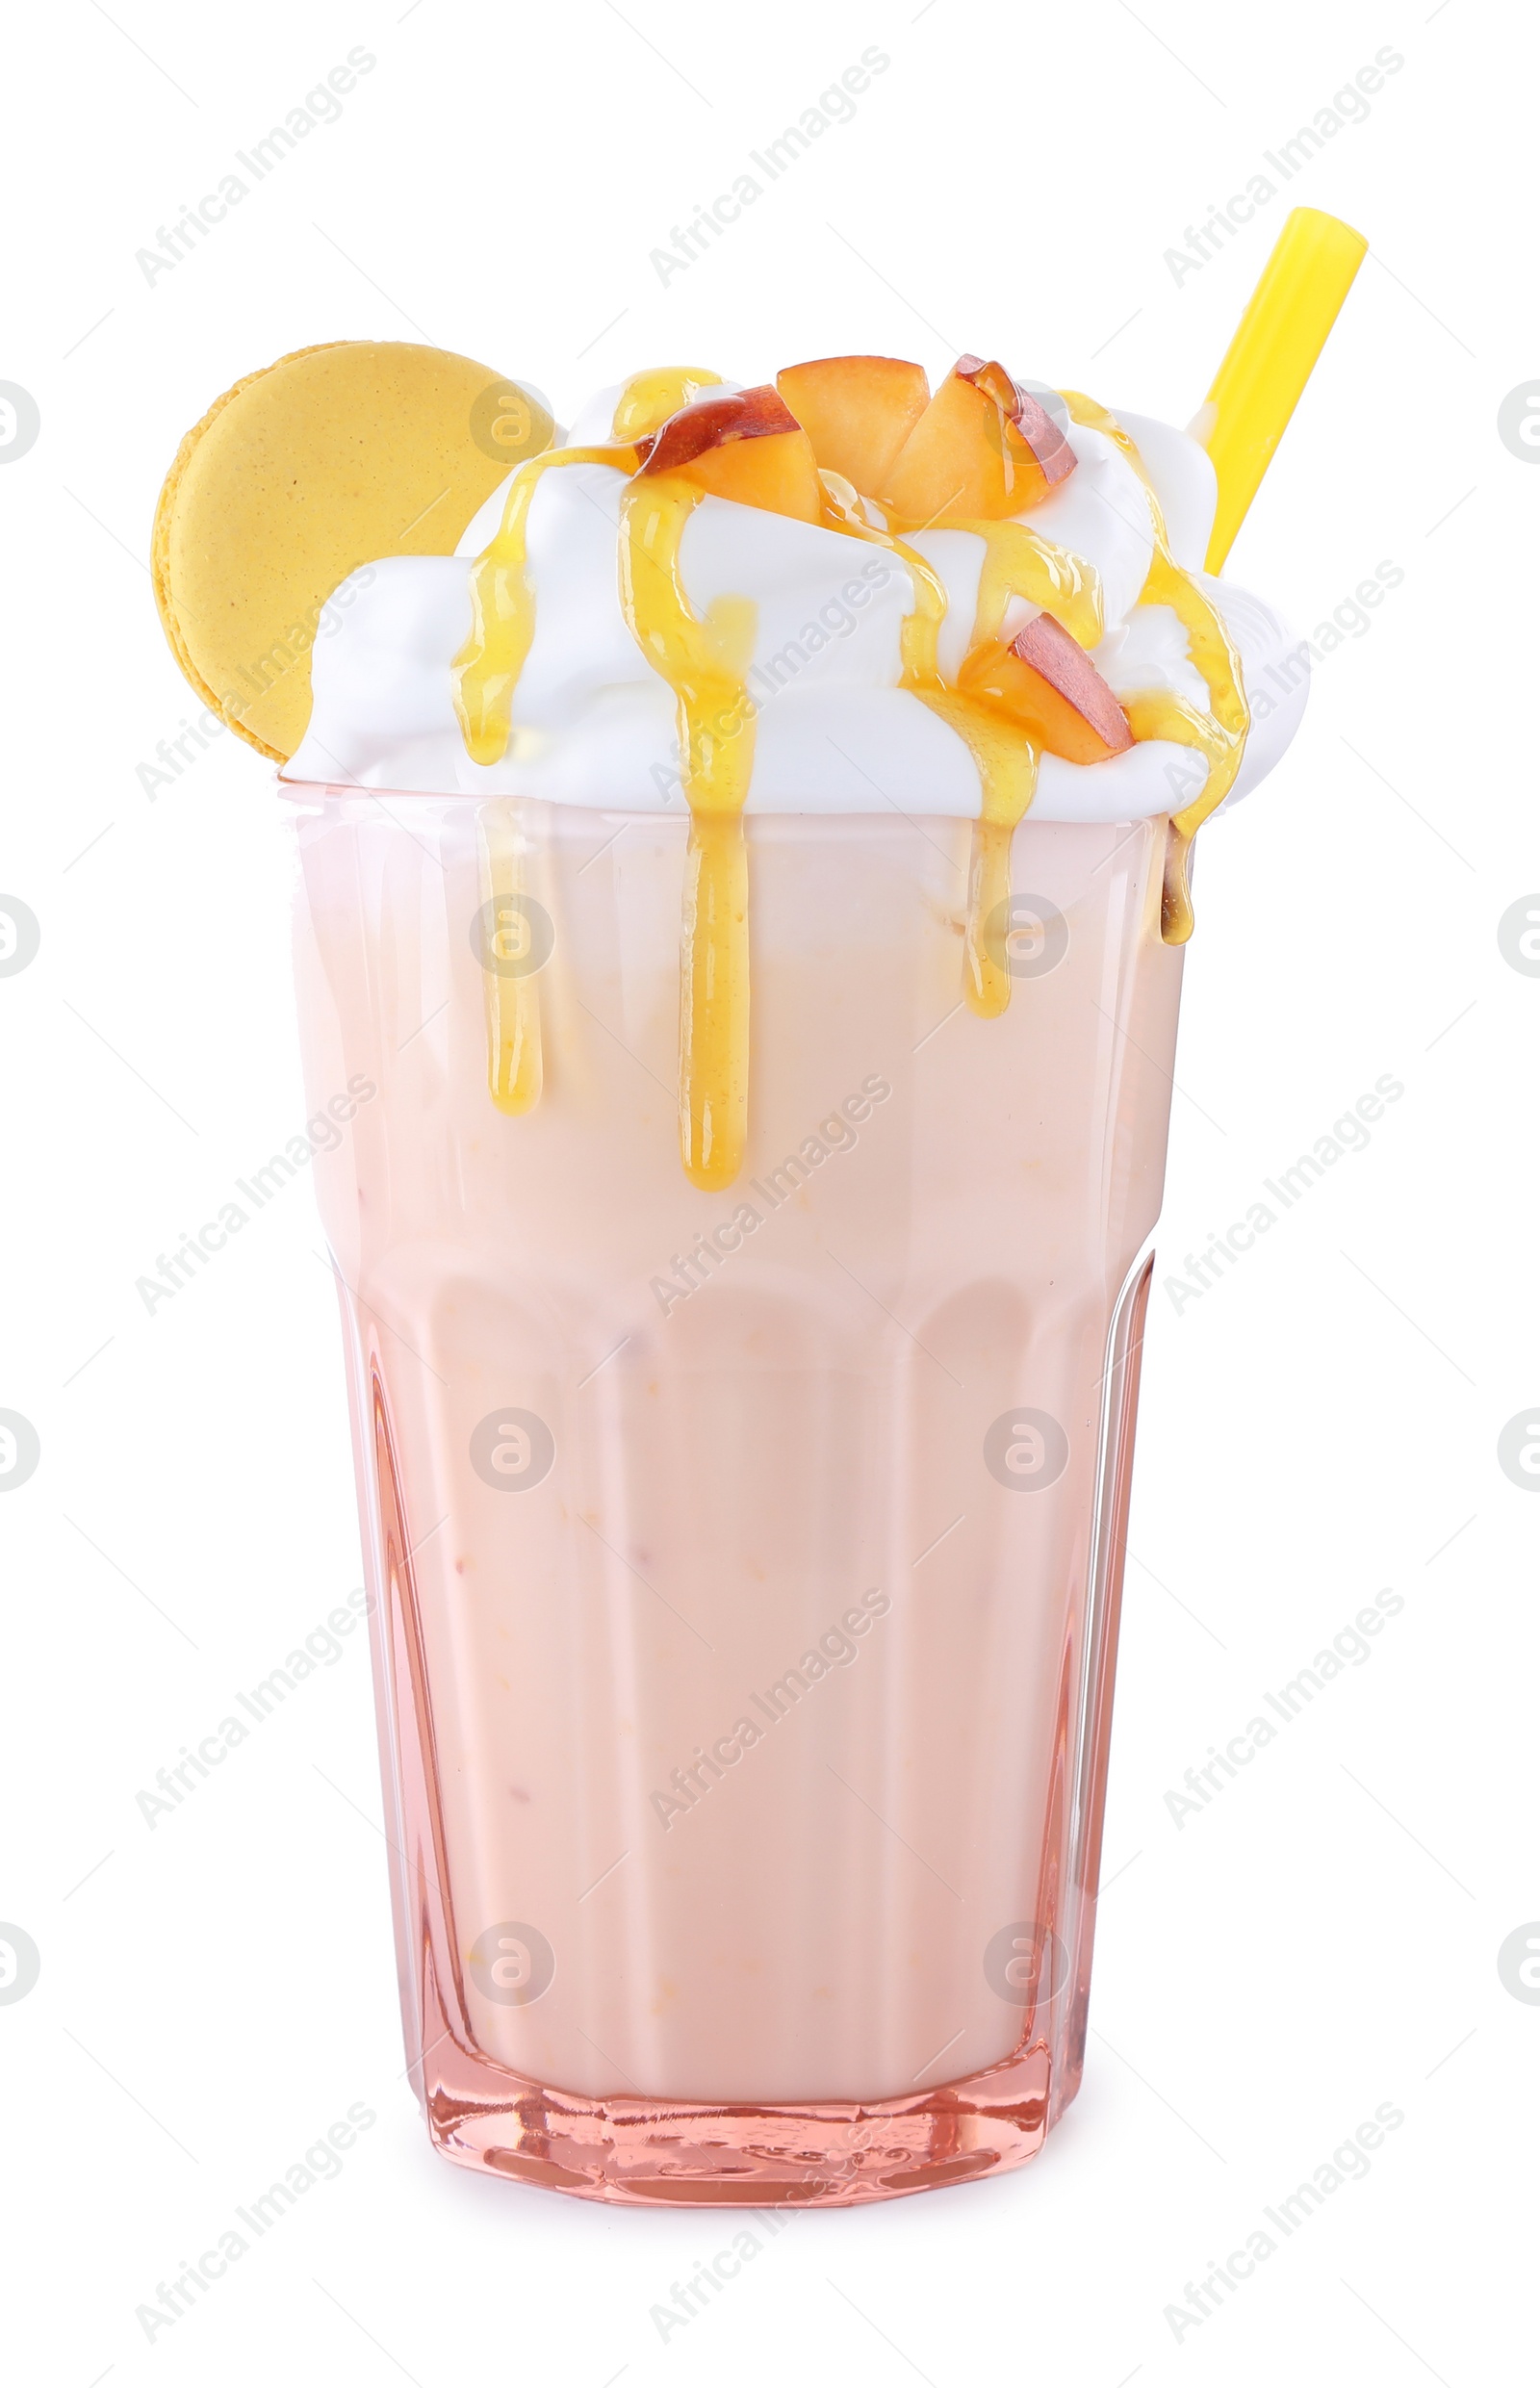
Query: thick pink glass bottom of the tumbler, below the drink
648, 2153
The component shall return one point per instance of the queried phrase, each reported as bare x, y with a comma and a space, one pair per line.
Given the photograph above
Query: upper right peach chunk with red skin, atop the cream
982, 450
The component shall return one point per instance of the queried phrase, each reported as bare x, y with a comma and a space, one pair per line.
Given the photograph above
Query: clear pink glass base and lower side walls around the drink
691, 2153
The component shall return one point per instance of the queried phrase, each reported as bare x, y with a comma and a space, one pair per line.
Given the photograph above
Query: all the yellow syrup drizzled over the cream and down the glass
706, 660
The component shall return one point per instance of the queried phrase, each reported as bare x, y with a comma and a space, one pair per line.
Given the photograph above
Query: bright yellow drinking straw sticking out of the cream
1271, 357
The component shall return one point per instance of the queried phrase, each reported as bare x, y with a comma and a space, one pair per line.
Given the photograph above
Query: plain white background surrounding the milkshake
1324, 1935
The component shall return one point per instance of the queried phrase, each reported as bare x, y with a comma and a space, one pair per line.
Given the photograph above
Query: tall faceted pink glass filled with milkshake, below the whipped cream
746, 1565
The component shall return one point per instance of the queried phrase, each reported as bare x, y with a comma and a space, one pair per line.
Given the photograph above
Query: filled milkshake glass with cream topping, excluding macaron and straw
741, 894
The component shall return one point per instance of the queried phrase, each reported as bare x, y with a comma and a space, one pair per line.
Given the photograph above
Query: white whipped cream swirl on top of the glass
593, 725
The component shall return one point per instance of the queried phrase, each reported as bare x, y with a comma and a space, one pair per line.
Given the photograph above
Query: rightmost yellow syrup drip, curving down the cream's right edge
1221, 732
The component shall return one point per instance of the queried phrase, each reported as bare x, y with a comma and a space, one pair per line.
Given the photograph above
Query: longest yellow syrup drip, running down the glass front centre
706, 663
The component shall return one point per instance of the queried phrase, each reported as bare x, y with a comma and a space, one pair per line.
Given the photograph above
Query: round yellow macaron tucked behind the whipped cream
295, 479
